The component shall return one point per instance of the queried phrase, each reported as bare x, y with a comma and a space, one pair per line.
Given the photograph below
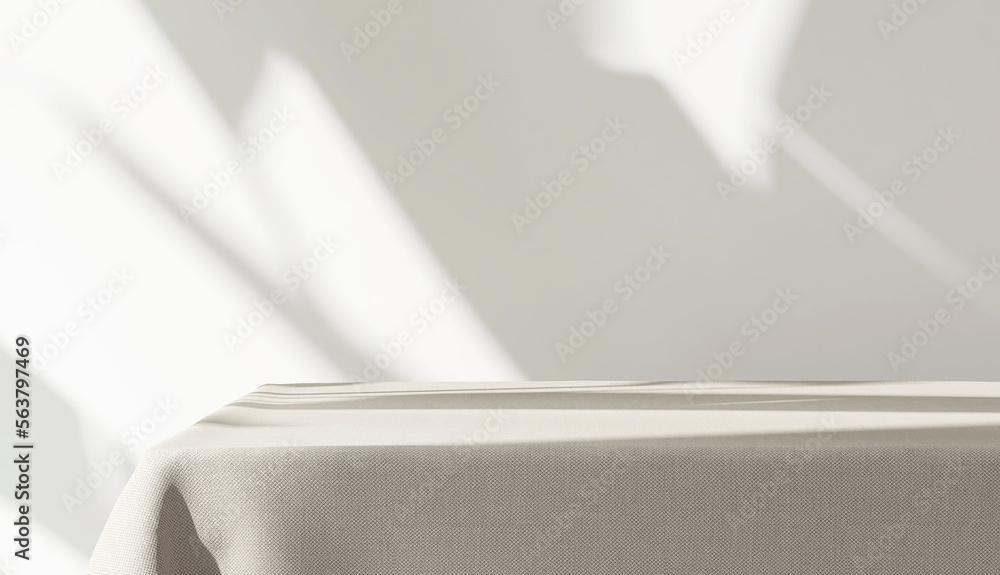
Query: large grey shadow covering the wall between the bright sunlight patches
656, 185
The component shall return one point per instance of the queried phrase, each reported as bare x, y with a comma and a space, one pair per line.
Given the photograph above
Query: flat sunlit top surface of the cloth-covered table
751, 413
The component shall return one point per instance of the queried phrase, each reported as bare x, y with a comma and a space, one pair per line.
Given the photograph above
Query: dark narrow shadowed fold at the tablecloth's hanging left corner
178, 549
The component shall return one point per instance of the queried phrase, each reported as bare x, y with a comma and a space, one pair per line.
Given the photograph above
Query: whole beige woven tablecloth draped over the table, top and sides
577, 478
